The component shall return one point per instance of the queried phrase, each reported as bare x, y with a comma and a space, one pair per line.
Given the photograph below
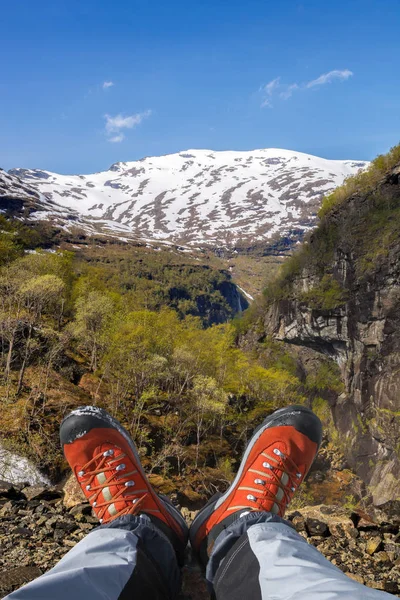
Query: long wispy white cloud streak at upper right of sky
284, 91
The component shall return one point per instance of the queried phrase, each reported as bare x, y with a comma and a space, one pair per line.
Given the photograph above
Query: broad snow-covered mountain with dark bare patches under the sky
196, 197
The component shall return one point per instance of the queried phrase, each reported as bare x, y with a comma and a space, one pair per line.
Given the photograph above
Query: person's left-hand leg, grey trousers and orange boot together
137, 550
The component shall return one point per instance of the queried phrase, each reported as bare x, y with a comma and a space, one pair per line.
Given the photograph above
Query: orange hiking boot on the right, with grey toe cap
277, 458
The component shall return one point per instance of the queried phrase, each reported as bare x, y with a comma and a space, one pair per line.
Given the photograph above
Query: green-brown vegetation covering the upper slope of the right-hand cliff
365, 231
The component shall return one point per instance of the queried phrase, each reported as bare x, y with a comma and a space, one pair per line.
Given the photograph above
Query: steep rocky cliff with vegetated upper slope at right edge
343, 299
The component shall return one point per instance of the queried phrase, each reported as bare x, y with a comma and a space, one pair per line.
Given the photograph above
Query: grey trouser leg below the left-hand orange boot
129, 558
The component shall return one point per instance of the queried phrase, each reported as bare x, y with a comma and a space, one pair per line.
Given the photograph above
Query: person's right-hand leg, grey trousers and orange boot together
241, 537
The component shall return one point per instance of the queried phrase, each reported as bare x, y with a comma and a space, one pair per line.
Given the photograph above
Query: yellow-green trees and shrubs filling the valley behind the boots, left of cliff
126, 328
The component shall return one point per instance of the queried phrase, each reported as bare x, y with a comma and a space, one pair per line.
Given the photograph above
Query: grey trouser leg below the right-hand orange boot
260, 557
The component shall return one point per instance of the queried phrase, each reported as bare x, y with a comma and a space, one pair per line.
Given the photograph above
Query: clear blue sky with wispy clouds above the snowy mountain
308, 75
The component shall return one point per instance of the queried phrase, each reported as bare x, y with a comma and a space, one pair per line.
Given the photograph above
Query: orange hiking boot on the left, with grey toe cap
107, 466
